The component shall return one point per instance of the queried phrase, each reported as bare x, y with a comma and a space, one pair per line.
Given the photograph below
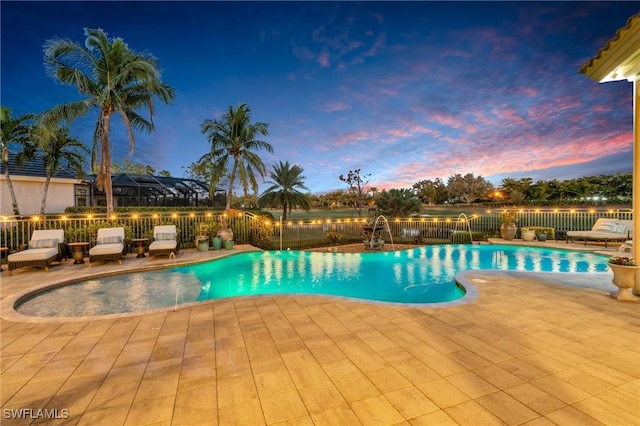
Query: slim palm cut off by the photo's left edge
16, 131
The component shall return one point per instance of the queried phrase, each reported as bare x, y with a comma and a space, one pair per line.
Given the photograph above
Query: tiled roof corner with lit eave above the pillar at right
619, 59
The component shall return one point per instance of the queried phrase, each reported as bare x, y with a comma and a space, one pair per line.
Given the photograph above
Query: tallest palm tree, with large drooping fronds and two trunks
113, 79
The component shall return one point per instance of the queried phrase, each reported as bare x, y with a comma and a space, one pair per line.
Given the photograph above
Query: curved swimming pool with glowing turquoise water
420, 275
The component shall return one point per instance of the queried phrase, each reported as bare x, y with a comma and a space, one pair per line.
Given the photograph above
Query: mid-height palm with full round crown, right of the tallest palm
233, 143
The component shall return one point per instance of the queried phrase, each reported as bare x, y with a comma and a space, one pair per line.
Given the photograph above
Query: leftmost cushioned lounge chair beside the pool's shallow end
45, 247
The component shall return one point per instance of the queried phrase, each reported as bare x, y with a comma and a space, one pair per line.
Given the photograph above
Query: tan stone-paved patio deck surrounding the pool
534, 349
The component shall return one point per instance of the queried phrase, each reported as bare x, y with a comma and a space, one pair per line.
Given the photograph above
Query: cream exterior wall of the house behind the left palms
29, 191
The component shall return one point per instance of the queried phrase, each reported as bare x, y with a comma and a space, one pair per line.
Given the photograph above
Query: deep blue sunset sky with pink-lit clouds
404, 91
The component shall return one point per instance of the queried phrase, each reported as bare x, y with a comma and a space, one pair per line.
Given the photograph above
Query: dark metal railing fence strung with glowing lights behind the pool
268, 234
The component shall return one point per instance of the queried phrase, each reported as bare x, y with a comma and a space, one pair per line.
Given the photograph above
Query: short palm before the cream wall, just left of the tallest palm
56, 146
